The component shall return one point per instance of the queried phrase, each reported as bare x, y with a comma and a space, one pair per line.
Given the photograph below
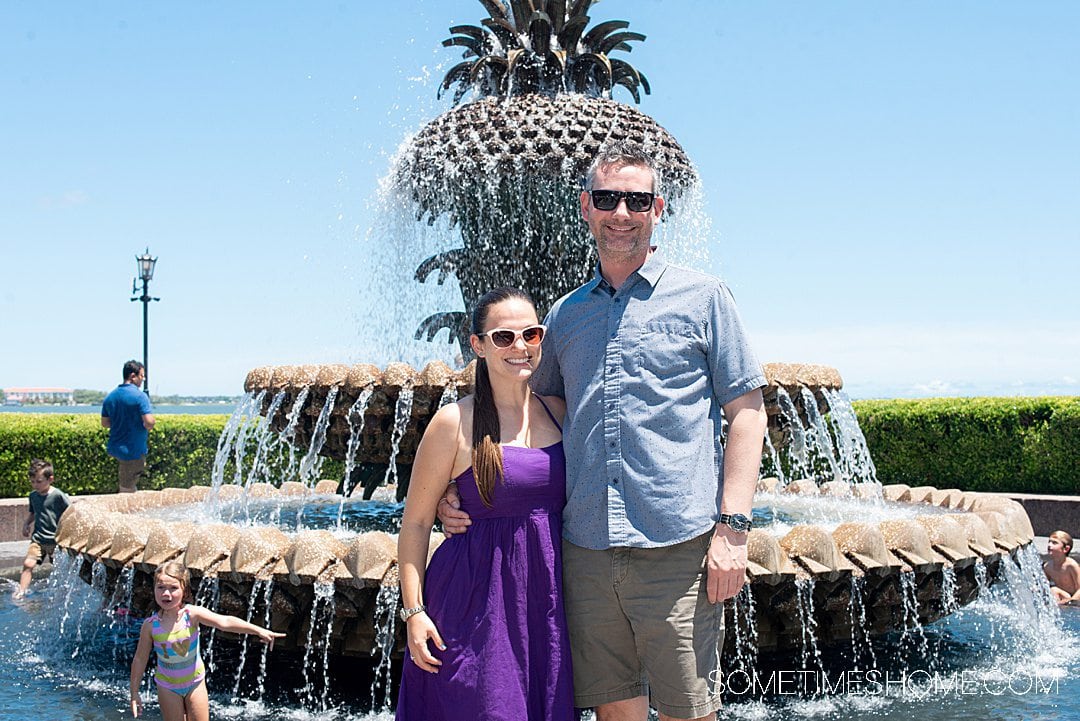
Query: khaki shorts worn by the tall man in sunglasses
642, 625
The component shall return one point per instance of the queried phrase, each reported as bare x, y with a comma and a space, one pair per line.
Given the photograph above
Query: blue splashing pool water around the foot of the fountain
1008, 656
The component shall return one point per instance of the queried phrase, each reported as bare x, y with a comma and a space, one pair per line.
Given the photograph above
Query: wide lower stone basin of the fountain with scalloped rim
966, 536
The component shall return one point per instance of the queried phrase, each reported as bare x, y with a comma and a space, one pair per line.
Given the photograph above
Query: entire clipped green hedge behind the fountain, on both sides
1012, 445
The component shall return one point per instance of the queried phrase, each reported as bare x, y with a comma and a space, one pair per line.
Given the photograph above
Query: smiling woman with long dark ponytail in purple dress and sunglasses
485, 624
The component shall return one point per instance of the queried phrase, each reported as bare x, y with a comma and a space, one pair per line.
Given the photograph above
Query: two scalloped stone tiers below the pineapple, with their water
929, 551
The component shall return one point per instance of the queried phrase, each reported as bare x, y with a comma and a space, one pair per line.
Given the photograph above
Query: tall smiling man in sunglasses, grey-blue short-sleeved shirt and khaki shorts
646, 355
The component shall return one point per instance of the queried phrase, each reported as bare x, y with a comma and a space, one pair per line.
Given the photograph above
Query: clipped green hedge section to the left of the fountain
182, 452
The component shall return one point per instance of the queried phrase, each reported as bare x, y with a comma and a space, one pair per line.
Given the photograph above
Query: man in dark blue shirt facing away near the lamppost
128, 415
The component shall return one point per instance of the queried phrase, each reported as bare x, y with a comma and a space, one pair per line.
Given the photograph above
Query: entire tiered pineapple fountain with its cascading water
506, 170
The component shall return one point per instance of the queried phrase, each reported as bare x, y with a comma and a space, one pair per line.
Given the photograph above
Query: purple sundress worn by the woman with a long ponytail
496, 597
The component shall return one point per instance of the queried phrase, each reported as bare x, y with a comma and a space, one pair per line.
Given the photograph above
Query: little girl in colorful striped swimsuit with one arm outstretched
173, 633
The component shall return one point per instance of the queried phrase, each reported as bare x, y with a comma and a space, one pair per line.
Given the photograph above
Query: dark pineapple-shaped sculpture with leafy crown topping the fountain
508, 167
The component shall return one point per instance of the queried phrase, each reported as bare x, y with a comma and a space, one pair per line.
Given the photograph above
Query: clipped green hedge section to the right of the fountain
1009, 445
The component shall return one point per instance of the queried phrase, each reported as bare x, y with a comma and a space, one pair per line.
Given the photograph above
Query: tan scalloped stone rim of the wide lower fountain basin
110, 528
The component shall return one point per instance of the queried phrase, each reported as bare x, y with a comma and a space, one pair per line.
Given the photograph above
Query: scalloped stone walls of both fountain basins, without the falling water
971, 539
